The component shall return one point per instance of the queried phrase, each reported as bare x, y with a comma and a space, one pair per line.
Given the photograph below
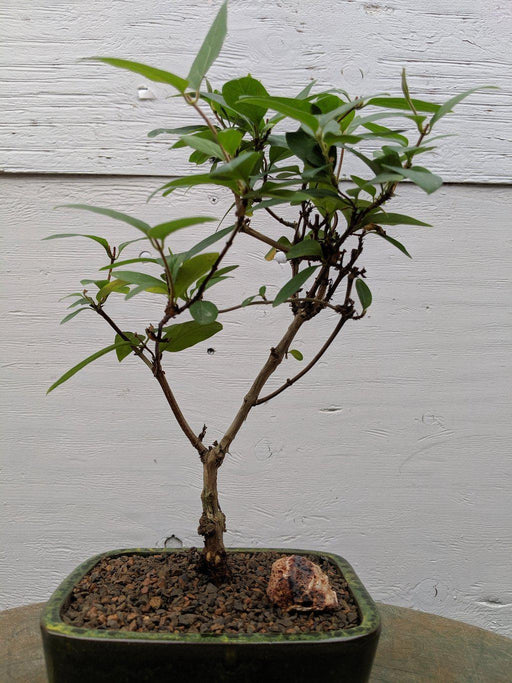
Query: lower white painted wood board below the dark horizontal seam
394, 451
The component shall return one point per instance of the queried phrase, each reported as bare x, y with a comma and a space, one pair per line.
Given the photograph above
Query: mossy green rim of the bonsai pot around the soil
52, 623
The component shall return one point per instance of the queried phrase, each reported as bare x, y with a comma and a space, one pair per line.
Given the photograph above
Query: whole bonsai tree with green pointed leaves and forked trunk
268, 152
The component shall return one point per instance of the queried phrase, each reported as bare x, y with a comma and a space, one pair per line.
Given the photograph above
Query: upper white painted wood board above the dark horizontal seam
63, 115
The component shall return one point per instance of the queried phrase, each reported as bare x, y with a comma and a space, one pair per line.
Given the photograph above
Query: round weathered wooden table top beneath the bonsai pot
413, 647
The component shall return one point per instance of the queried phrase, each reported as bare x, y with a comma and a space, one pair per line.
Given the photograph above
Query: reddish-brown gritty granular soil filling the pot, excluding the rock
168, 593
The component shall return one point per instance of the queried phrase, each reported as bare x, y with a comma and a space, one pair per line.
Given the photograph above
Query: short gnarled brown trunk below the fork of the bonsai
212, 524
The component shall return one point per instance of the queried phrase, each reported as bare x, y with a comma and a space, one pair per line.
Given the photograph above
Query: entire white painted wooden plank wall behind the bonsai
395, 451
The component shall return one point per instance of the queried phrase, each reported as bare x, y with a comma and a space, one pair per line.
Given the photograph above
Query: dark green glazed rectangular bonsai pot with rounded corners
86, 655
